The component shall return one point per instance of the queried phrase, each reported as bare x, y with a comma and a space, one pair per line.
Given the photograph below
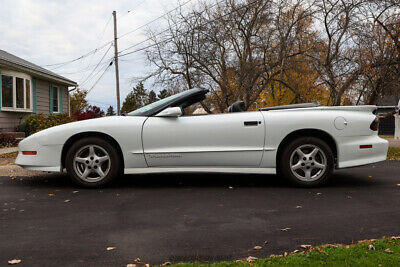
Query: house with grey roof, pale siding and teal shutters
26, 88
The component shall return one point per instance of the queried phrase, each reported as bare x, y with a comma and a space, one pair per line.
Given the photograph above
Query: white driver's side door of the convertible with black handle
219, 140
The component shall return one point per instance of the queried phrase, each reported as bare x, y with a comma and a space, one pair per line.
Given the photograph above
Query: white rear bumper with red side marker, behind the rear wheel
350, 154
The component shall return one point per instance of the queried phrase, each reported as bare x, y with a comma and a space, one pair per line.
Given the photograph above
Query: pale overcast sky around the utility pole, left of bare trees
48, 32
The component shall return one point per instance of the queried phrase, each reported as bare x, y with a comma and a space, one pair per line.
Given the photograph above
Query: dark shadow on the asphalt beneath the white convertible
198, 180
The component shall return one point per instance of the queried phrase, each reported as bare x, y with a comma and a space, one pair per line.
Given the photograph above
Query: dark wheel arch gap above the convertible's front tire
78, 136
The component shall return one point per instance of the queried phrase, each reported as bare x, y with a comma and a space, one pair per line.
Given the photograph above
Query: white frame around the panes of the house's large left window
24, 77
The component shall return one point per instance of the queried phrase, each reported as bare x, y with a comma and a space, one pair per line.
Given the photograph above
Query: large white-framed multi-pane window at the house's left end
16, 91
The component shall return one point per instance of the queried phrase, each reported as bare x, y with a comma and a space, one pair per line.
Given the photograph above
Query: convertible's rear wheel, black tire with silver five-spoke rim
291, 158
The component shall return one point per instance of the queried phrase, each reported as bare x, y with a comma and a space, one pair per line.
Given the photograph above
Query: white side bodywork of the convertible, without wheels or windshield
215, 142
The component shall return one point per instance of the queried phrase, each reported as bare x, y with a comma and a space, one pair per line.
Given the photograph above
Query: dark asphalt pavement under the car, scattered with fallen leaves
176, 218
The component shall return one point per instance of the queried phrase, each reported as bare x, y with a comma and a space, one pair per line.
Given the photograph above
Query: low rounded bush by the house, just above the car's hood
37, 122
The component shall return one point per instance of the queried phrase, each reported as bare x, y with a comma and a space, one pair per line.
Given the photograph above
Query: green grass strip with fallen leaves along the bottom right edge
330, 255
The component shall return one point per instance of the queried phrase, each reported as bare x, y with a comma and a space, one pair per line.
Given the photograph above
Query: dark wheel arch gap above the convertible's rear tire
308, 132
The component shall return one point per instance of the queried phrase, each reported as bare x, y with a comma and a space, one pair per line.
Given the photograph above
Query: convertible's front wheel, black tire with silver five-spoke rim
92, 162
